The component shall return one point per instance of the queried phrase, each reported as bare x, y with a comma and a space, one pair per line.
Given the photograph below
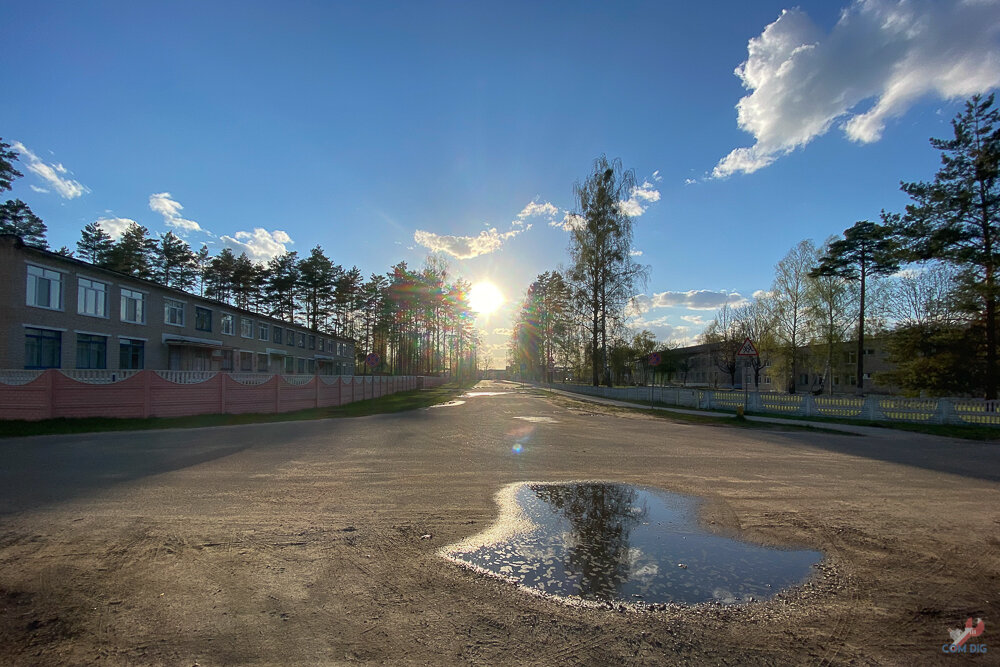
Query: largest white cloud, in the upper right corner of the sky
889, 52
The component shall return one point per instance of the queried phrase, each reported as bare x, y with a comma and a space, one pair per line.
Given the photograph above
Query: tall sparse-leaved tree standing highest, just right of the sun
602, 273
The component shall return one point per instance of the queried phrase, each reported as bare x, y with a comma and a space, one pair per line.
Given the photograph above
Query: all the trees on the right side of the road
924, 280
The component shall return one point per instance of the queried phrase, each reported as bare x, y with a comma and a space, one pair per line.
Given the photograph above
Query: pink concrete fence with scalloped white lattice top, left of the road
34, 395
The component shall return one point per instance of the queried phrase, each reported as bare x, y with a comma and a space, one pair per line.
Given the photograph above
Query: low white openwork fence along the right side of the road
874, 408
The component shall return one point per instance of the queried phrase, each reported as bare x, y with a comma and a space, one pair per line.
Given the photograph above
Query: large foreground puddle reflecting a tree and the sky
612, 542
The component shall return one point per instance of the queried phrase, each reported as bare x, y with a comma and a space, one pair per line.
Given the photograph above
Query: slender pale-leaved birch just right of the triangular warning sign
789, 293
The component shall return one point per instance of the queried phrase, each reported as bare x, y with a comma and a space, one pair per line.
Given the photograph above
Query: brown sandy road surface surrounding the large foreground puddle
301, 543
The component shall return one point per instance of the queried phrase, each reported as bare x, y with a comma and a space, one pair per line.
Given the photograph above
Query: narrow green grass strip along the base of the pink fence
408, 400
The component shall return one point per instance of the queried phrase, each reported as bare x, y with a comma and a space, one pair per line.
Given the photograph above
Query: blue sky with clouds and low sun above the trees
386, 132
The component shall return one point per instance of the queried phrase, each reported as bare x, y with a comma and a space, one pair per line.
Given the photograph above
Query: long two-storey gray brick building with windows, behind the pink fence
59, 312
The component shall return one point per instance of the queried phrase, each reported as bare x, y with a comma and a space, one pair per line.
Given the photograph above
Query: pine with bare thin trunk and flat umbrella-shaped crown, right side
867, 249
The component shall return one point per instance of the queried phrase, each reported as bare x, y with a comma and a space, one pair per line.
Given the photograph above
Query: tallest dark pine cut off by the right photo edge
956, 217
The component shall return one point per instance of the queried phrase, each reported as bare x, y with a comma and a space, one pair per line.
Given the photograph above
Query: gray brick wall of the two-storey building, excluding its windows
166, 346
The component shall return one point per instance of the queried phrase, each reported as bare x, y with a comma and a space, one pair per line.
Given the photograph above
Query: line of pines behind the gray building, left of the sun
414, 321
